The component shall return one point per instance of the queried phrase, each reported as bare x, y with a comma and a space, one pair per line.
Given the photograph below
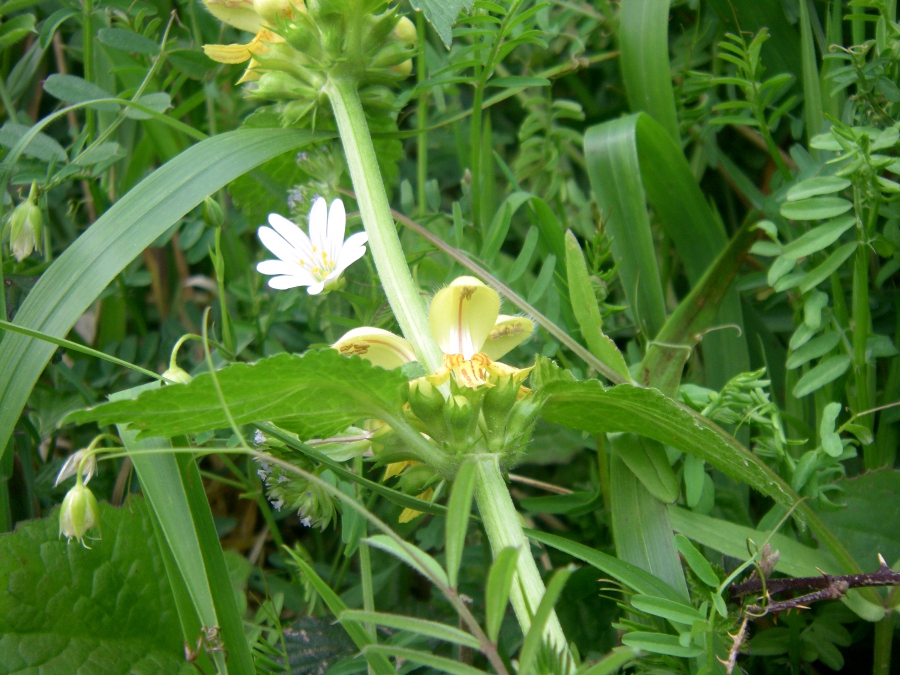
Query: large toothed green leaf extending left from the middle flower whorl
314, 395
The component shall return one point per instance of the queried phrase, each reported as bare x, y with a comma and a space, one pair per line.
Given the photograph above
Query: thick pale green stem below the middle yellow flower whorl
501, 522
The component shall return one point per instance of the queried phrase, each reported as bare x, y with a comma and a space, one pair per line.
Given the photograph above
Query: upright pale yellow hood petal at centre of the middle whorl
462, 316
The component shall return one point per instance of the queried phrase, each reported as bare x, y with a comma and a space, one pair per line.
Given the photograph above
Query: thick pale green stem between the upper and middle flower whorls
375, 210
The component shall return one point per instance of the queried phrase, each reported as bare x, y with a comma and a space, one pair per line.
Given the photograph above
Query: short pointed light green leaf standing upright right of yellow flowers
587, 313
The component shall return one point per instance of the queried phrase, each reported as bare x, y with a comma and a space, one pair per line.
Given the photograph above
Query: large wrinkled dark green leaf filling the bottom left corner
68, 609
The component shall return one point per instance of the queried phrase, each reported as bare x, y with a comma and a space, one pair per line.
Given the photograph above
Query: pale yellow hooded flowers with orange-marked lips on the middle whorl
467, 325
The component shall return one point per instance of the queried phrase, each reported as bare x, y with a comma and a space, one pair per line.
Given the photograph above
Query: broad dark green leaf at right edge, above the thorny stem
870, 523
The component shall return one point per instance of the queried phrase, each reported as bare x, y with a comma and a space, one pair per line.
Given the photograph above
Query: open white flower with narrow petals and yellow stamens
316, 261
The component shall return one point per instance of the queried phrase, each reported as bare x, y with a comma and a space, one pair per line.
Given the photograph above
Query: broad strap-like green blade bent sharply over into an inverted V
632, 157
